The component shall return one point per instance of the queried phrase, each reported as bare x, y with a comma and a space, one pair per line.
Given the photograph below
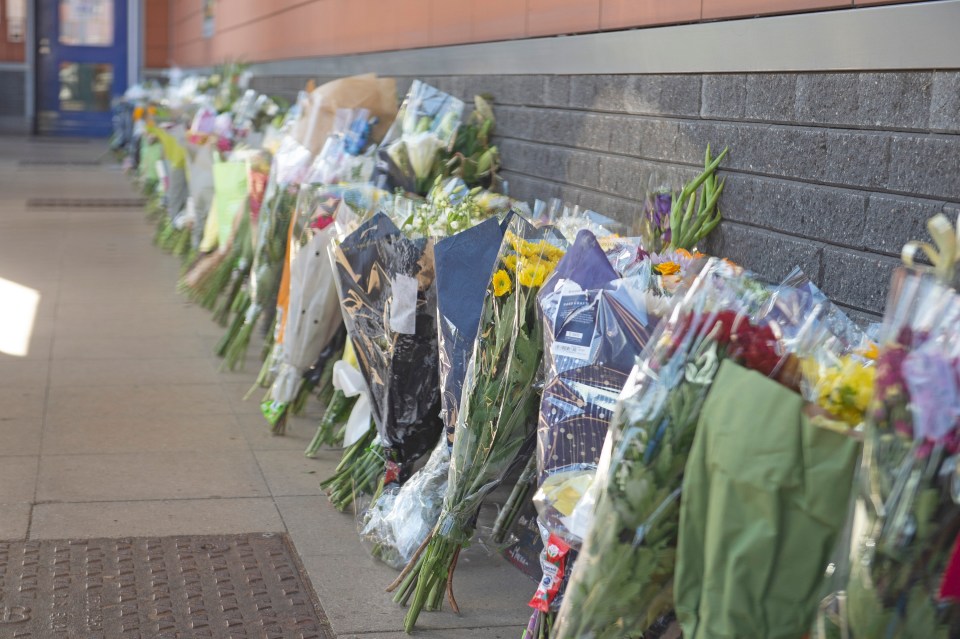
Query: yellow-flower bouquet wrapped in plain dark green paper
765, 529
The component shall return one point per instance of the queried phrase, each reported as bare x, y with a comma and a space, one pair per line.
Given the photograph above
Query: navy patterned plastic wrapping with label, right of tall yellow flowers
595, 326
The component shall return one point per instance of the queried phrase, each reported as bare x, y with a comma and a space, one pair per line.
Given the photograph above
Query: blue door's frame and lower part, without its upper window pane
74, 91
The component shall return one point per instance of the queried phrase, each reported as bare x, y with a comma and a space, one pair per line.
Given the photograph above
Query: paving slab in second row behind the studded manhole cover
135, 476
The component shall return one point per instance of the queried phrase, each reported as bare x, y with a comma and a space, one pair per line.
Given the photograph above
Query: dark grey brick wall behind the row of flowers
831, 171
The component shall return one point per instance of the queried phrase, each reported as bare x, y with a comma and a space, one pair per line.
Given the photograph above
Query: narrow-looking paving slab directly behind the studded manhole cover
141, 518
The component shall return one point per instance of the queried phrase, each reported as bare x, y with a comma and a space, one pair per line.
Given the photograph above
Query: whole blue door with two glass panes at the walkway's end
81, 64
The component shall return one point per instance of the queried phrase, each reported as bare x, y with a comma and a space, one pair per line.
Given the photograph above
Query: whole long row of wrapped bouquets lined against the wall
684, 444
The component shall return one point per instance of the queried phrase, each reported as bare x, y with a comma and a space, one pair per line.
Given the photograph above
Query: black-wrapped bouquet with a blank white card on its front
385, 282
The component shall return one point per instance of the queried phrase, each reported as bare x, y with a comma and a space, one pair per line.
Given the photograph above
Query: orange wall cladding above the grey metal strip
257, 30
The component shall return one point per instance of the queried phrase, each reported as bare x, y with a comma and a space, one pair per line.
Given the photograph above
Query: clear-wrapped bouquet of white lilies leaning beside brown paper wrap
427, 123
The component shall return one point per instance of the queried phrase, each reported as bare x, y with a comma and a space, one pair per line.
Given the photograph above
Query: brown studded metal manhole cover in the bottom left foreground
229, 587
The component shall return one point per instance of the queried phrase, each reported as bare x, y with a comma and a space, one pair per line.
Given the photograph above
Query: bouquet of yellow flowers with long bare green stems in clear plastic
497, 407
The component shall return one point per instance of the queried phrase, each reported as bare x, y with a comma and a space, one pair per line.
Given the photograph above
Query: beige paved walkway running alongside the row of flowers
116, 422
